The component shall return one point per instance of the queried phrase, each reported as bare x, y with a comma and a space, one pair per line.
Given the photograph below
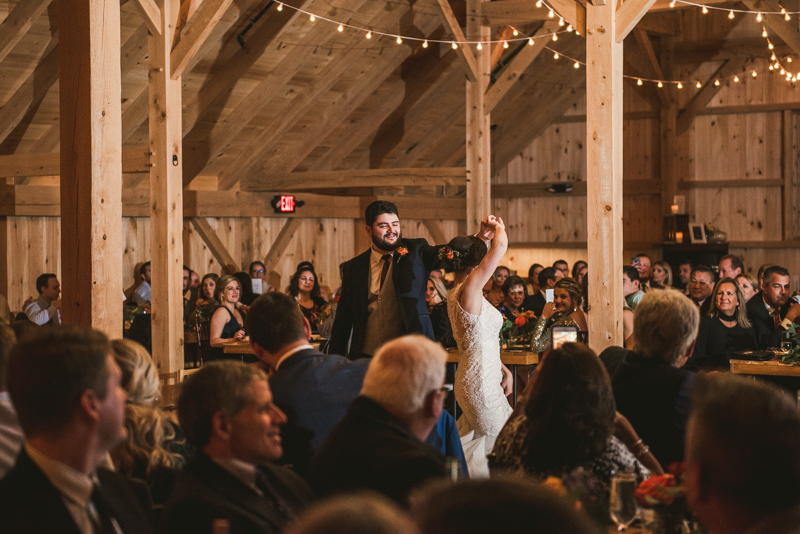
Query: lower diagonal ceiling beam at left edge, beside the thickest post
31, 92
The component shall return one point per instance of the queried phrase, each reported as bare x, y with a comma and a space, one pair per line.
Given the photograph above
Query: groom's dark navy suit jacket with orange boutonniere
410, 274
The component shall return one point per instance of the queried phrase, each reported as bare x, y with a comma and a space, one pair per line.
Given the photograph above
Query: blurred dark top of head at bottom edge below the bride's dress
504, 505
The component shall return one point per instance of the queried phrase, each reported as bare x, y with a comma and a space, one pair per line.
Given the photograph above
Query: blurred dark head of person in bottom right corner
742, 458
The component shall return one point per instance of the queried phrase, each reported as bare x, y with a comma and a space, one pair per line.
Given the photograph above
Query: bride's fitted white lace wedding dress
479, 376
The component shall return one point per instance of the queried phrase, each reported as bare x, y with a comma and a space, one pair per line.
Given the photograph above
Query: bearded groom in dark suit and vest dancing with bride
383, 289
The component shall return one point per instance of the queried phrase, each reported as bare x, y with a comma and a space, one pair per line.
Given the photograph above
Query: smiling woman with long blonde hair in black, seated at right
724, 330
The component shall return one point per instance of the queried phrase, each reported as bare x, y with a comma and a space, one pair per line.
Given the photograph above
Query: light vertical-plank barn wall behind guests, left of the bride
33, 247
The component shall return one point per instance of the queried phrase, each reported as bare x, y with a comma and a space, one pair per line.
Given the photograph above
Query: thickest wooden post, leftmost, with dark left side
91, 164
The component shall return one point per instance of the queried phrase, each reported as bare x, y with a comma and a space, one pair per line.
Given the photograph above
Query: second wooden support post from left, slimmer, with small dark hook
166, 197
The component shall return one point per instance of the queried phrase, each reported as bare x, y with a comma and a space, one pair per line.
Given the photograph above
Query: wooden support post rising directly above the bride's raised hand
479, 162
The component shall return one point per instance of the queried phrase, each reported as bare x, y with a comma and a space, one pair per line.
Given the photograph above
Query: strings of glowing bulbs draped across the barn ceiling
775, 63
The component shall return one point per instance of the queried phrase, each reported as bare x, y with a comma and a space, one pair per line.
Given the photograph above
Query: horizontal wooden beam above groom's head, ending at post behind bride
356, 178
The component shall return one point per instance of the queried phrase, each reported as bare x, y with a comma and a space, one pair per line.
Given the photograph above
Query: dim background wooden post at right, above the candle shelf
669, 121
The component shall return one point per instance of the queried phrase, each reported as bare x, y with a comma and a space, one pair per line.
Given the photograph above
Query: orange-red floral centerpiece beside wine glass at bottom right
666, 496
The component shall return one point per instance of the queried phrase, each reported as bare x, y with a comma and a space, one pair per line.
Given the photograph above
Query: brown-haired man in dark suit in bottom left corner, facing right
66, 389
